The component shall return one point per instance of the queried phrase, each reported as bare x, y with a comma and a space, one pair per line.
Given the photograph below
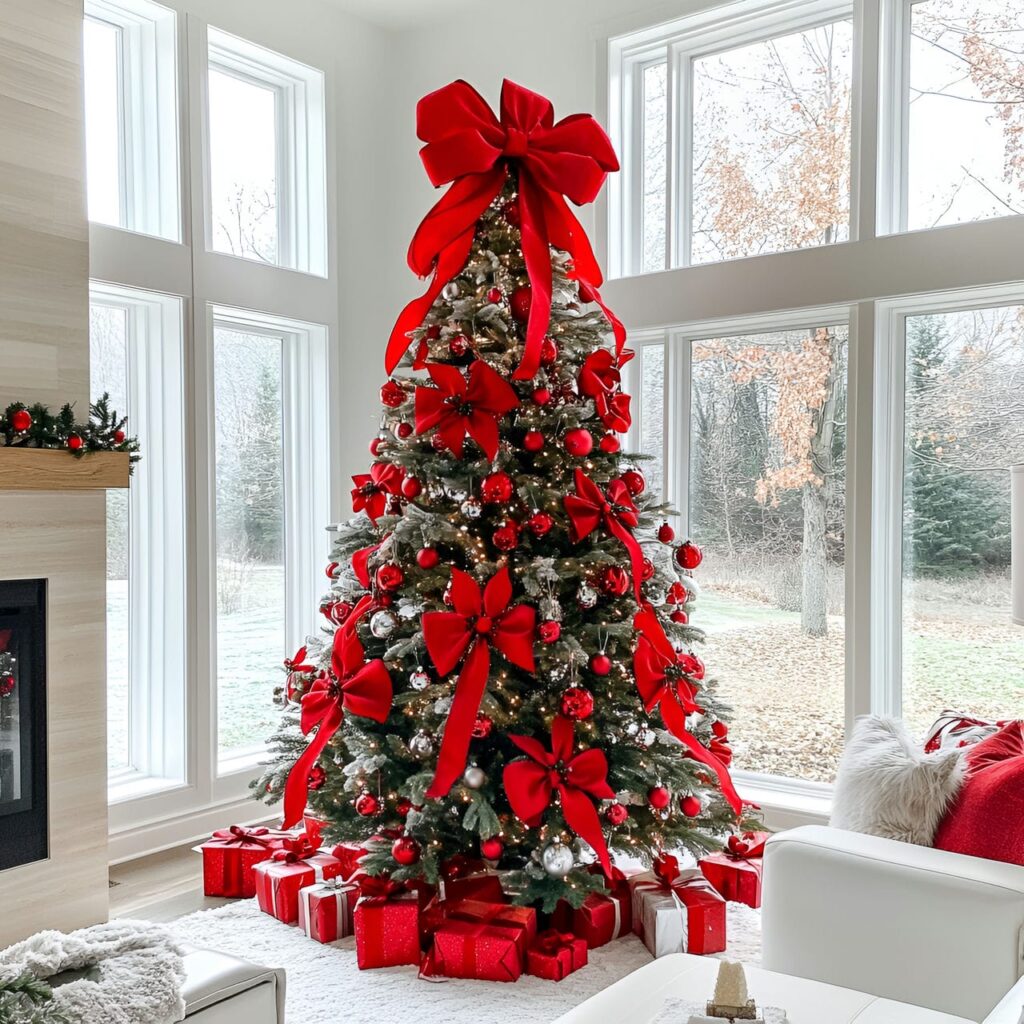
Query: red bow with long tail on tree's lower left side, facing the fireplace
360, 688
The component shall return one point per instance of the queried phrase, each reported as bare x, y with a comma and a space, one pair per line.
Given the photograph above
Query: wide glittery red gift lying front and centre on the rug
487, 951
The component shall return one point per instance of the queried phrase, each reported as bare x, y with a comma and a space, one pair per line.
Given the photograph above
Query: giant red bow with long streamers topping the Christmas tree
470, 147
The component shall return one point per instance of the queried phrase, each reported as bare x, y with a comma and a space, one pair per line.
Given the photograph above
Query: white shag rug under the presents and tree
325, 987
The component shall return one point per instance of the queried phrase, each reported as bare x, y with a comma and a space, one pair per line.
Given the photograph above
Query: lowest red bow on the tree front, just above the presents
531, 785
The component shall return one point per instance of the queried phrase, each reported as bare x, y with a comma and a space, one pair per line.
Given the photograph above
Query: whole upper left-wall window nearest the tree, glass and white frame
267, 156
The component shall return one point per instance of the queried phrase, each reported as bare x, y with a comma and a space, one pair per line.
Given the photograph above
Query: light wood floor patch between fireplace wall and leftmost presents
161, 887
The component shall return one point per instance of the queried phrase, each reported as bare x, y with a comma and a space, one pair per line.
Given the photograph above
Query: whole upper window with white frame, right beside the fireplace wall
131, 116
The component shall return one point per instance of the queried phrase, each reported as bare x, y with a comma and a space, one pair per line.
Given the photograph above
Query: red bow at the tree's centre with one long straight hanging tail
480, 622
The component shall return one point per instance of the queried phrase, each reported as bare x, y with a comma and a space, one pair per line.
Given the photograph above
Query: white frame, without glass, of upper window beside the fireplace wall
148, 122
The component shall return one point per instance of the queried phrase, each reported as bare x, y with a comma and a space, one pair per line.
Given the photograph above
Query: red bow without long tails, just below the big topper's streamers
457, 407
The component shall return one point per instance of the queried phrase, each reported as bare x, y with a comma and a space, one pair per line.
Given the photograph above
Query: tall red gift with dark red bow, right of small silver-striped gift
387, 922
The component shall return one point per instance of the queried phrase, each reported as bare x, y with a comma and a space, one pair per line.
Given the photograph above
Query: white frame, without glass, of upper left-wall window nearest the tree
300, 114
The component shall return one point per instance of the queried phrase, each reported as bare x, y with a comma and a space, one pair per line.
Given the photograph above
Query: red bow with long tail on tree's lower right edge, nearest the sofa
674, 697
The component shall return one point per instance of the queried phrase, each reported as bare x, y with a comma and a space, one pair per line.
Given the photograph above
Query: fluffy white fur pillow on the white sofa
887, 786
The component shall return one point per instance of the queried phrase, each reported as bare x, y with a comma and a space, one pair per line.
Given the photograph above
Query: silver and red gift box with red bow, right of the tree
677, 912
